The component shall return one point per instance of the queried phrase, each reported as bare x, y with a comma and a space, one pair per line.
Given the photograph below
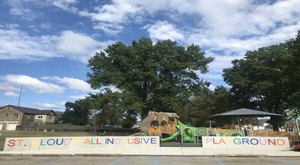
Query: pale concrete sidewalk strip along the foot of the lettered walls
161, 151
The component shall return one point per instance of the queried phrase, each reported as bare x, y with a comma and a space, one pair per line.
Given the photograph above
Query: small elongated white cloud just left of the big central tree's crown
72, 83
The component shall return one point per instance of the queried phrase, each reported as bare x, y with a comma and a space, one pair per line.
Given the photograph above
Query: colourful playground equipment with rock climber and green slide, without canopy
169, 128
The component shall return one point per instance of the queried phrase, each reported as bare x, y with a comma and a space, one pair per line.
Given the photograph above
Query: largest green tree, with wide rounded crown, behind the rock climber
157, 76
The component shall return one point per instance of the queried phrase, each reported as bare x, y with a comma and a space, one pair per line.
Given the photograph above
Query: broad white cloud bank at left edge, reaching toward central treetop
16, 44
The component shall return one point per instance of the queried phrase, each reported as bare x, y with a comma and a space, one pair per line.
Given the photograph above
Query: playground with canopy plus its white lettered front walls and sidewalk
162, 133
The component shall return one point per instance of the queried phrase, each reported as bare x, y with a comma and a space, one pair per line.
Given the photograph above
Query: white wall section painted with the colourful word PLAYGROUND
276, 143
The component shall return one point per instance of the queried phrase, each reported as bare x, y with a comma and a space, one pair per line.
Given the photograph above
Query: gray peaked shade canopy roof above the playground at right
245, 112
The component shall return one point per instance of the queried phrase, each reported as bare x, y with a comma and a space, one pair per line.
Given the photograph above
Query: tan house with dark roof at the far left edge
13, 117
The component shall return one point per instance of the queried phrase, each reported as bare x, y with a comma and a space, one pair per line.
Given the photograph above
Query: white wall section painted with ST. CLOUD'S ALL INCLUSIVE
48, 143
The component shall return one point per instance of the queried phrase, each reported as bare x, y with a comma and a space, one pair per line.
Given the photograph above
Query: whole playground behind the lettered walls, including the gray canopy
169, 128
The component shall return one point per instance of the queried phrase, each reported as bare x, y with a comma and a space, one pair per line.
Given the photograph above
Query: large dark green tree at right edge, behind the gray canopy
267, 78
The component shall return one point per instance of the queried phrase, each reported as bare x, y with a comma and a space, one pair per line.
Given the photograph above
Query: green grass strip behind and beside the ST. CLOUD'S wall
5, 134
